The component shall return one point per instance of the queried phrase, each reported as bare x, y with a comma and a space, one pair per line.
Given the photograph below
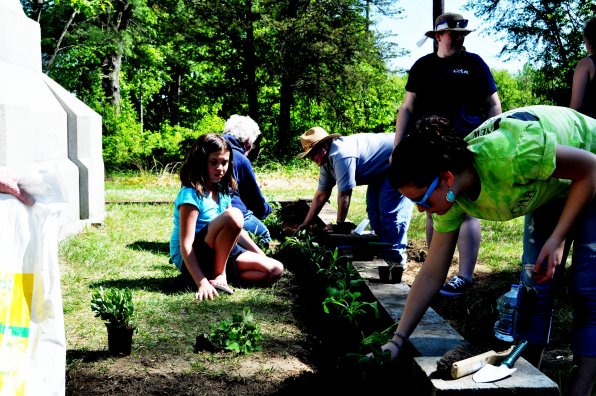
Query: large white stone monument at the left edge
44, 127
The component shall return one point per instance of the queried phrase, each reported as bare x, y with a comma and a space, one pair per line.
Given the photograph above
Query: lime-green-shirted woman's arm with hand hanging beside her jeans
579, 166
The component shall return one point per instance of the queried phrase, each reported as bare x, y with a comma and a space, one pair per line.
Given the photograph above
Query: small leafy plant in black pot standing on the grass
115, 307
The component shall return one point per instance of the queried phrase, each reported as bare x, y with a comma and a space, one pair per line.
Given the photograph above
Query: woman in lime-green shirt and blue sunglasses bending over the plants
538, 162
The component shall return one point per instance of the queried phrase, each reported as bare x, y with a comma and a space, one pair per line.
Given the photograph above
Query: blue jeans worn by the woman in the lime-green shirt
535, 307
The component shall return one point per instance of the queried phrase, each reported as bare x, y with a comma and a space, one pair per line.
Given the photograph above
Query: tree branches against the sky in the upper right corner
547, 32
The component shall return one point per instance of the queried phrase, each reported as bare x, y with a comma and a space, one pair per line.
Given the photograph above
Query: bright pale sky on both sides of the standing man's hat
417, 19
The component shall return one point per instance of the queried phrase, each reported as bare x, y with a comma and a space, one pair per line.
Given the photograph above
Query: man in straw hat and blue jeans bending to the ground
350, 161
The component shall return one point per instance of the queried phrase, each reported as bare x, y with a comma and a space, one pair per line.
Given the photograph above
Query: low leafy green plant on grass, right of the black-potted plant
240, 334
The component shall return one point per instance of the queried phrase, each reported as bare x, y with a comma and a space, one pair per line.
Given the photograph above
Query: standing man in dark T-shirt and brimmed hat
457, 85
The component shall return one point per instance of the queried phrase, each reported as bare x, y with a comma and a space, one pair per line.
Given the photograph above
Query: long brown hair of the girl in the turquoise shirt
194, 171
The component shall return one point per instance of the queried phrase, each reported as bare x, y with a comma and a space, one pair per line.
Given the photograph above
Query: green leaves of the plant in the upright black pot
114, 306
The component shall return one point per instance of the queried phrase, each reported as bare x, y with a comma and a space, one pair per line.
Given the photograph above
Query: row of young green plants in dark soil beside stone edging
351, 316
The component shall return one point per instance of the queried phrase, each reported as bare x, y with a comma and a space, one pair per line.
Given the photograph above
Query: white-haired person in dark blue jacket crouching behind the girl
241, 132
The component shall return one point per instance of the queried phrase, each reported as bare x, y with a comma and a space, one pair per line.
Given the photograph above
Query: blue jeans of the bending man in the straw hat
389, 213
